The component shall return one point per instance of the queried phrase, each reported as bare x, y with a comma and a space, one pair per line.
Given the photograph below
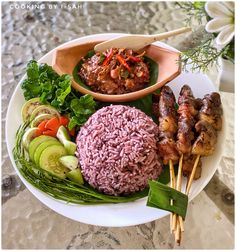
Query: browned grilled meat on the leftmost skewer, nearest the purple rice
167, 126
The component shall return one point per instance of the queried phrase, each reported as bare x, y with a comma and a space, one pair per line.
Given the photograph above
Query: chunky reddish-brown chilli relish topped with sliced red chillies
116, 71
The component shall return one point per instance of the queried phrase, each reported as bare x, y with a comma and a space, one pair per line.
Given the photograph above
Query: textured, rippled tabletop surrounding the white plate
30, 32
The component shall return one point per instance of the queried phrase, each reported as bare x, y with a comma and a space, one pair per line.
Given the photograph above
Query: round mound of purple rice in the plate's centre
117, 150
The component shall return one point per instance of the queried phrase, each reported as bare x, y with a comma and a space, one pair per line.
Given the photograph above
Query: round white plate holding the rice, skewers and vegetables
125, 214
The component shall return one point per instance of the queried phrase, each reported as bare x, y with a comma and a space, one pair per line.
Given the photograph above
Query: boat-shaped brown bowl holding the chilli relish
65, 60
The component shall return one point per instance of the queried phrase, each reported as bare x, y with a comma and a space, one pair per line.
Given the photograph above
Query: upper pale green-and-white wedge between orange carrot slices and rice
64, 137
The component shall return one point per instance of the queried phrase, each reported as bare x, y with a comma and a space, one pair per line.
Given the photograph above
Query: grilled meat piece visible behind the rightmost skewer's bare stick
188, 164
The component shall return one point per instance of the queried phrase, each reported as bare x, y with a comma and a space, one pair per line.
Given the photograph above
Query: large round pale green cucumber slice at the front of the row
49, 160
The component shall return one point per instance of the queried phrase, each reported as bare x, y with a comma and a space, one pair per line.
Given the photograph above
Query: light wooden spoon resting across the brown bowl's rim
137, 42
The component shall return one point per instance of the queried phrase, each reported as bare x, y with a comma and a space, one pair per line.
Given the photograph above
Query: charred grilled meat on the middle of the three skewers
187, 118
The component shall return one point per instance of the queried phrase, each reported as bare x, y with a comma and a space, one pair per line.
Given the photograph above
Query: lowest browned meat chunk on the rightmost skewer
205, 142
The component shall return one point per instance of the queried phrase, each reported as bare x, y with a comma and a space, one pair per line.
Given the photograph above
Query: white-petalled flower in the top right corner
222, 22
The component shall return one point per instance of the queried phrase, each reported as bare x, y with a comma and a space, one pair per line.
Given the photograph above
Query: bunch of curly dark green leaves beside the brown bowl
42, 81
